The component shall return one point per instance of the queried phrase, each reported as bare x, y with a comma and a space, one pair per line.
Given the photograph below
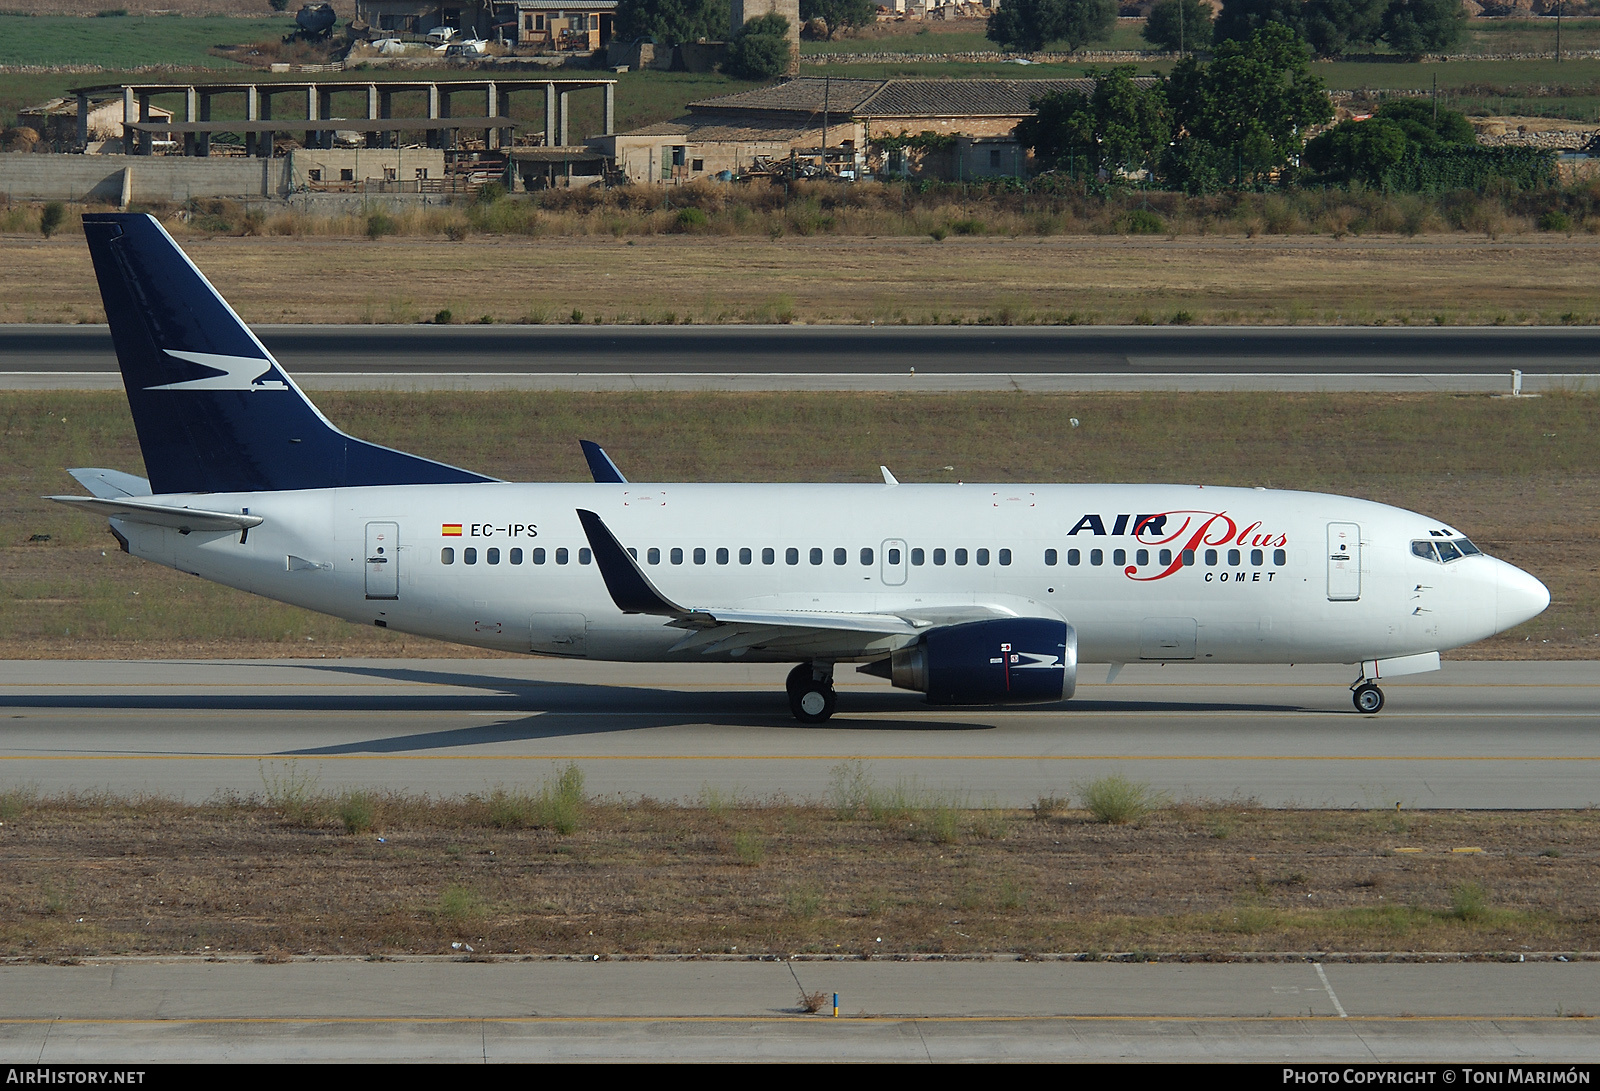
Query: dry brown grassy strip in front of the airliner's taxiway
882, 879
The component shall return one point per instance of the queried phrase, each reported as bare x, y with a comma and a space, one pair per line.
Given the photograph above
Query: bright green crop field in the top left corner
130, 41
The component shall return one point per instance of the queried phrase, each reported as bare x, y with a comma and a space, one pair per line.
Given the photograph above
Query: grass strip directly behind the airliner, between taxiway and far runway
1521, 478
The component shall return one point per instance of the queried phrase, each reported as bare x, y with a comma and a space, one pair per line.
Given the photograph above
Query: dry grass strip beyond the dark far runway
1106, 279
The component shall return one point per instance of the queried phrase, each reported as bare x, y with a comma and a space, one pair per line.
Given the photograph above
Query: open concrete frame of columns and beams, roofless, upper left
322, 113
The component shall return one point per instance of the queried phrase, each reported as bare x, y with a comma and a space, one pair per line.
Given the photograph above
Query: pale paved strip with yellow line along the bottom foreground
127, 1012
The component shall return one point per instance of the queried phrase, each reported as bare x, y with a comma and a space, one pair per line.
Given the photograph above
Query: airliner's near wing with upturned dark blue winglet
799, 633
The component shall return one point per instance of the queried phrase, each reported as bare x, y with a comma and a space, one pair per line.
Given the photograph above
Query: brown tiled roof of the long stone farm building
895, 98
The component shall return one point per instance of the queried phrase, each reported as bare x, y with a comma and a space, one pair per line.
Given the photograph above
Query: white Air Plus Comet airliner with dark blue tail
972, 594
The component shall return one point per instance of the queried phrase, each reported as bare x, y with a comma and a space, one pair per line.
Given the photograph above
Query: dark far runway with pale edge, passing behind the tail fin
865, 358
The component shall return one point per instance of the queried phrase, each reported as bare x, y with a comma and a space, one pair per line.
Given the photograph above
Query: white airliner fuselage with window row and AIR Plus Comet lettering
1278, 588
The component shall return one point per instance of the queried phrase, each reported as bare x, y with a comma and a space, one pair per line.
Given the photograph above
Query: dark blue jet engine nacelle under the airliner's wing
1002, 661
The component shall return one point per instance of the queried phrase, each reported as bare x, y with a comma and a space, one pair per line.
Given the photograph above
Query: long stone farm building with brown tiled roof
812, 119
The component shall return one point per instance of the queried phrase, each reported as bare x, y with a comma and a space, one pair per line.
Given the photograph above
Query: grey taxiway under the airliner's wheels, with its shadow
1476, 735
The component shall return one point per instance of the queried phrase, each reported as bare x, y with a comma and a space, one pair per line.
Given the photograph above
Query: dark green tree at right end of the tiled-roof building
1116, 126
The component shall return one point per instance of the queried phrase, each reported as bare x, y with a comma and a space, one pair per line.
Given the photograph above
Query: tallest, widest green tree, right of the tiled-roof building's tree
1254, 102
